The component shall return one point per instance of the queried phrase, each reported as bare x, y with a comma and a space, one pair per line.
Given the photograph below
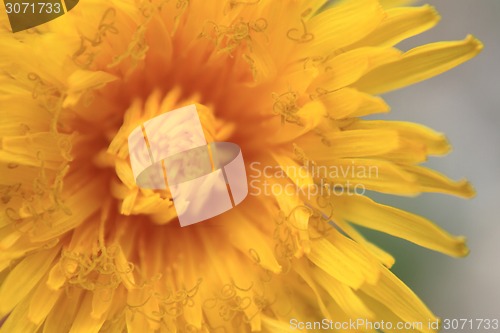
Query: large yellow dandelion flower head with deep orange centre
83, 249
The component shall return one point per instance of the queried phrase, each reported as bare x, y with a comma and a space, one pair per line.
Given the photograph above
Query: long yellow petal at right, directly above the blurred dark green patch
367, 213
